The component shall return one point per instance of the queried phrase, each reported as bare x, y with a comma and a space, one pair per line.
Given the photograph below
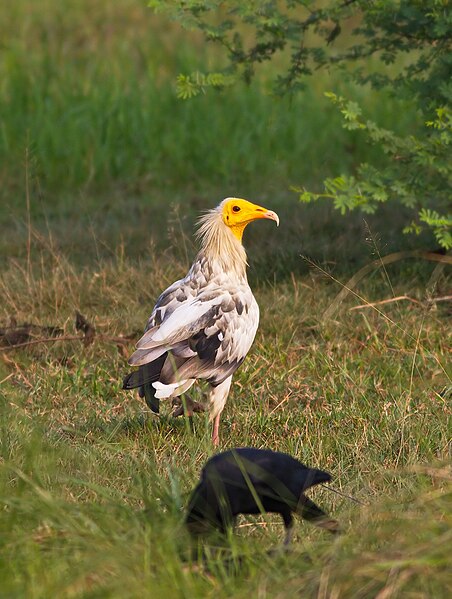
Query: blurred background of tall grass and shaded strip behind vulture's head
93, 136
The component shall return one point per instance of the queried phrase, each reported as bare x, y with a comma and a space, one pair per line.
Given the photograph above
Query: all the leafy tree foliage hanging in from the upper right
408, 40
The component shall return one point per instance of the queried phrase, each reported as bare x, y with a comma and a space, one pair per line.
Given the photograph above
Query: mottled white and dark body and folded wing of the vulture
207, 333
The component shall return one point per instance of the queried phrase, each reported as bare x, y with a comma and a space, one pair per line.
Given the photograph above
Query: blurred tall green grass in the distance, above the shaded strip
87, 89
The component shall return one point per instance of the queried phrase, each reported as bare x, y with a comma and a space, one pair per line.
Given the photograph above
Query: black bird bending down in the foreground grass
252, 481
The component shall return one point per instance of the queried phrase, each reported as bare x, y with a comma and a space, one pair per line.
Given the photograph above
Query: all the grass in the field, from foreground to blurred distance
114, 170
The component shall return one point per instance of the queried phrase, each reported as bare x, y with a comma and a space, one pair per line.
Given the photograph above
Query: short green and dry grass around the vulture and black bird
93, 487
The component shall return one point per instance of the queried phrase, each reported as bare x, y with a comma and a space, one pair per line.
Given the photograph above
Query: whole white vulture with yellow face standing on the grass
202, 326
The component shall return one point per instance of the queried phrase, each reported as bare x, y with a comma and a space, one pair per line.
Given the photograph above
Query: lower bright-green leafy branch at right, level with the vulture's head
426, 156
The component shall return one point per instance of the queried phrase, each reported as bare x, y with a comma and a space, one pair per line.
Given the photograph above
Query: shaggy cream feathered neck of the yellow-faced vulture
220, 246
